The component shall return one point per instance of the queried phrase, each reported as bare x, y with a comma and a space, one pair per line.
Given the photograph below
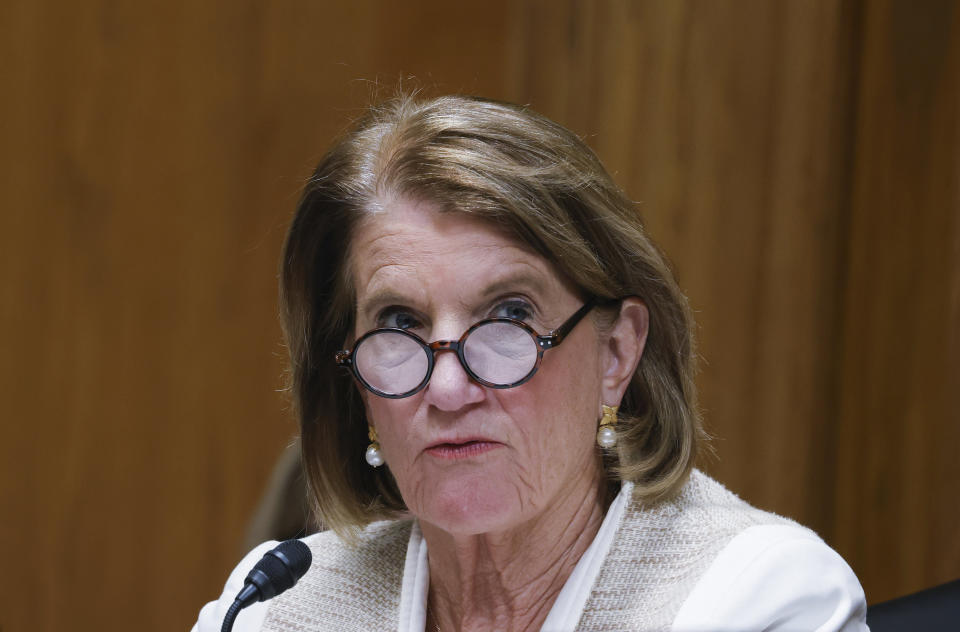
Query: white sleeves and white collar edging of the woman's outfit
745, 588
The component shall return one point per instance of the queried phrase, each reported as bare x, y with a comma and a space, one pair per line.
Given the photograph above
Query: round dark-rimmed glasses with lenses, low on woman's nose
496, 352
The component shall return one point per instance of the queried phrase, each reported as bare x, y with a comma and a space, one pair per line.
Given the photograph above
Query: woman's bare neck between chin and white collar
509, 580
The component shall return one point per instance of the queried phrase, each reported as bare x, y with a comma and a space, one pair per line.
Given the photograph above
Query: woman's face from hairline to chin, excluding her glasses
467, 458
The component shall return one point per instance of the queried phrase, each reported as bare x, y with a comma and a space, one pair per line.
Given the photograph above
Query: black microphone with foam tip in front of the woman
278, 570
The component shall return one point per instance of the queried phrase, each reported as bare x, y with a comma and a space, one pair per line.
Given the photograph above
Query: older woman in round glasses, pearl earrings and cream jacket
493, 371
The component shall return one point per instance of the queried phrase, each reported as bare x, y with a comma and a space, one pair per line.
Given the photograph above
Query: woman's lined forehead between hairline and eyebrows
416, 250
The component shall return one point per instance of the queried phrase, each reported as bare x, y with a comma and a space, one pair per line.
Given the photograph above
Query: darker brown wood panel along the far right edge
897, 513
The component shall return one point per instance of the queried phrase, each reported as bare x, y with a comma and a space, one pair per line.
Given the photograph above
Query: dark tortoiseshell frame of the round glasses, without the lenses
550, 340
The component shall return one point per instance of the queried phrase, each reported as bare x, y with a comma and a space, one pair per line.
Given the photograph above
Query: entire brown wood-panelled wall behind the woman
797, 160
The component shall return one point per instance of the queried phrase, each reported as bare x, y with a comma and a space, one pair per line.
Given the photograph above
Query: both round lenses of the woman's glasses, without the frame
394, 363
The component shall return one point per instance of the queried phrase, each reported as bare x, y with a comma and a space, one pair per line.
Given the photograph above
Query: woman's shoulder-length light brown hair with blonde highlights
543, 186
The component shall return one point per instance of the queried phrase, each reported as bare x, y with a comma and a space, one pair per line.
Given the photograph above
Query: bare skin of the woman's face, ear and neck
507, 483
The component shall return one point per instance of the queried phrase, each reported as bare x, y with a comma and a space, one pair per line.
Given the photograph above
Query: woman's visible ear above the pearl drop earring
623, 348
